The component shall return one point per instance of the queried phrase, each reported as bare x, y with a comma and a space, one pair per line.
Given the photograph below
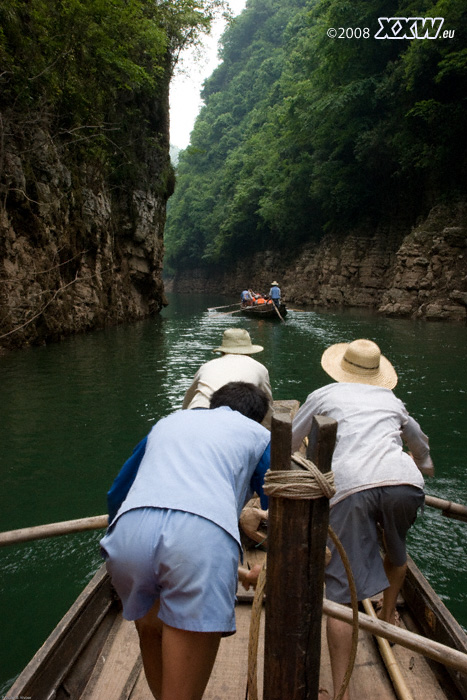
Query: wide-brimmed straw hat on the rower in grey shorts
361, 362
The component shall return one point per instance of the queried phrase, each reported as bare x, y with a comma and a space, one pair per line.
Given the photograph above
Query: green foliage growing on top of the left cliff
94, 74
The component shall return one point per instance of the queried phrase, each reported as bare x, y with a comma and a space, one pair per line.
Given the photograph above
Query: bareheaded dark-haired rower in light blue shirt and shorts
172, 550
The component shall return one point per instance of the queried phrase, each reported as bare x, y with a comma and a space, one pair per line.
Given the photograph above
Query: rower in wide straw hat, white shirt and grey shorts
377, 483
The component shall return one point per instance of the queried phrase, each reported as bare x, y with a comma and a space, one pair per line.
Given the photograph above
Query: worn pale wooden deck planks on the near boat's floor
119, 674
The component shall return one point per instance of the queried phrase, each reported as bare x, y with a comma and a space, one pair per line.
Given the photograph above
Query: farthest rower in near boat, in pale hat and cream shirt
235, 364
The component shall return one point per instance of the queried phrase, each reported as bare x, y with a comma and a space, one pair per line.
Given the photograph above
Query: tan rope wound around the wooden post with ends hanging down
307, 484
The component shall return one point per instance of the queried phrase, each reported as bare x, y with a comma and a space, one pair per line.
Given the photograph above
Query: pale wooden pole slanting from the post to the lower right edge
426, 647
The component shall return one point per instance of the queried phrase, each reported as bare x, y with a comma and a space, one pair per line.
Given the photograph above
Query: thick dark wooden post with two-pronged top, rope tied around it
297, 533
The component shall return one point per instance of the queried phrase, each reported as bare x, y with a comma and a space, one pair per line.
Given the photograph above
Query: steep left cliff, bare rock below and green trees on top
84, 109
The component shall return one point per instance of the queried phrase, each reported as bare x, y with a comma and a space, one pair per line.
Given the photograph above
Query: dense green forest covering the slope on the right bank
303, 133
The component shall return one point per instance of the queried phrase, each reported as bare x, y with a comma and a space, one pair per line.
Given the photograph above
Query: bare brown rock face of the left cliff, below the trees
75, 254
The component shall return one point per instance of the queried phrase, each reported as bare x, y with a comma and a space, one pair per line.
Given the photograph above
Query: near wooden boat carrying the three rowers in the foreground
93, 654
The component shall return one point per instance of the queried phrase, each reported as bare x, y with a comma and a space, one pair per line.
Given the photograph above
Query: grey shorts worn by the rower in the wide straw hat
355, 521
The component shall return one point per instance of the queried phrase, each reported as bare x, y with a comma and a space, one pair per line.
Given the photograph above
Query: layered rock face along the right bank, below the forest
417, 274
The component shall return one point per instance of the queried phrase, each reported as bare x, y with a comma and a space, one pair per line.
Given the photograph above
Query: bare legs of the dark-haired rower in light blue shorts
177, 663
